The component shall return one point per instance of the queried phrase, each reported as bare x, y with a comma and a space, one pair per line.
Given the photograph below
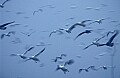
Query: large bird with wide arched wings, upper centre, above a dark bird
74, 26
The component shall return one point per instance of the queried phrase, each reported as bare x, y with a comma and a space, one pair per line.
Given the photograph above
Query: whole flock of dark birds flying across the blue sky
69, 30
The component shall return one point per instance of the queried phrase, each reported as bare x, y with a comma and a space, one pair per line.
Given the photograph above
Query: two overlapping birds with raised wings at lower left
34, 57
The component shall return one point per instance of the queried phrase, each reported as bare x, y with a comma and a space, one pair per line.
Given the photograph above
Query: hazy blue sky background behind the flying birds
56, 14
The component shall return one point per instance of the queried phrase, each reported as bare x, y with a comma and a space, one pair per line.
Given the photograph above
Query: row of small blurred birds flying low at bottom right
93, 68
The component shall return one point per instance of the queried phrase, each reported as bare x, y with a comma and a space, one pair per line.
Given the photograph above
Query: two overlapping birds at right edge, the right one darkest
108, 43
